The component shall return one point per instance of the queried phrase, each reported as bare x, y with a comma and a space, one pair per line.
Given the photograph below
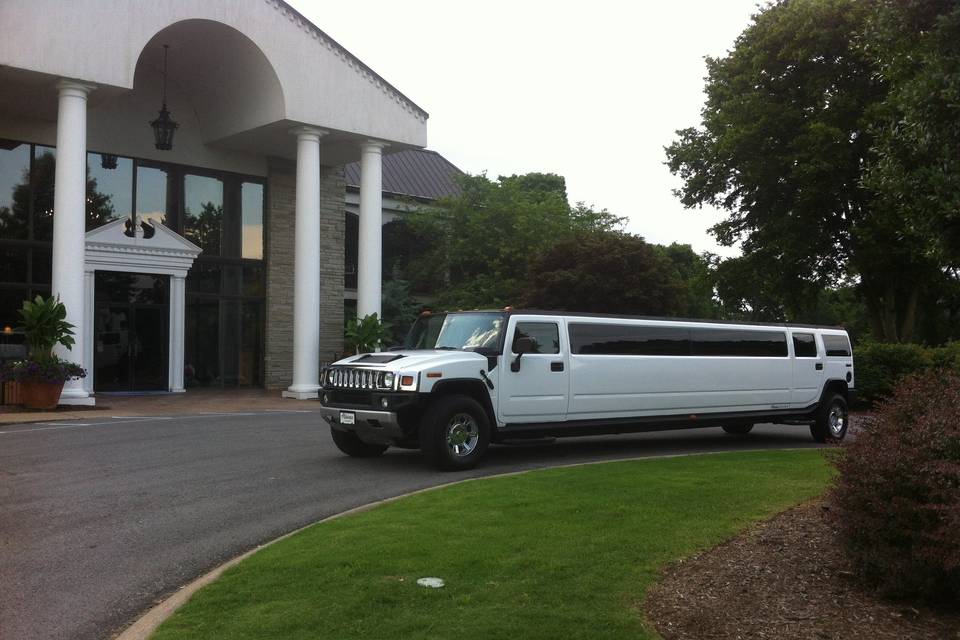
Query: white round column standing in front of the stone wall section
306, 276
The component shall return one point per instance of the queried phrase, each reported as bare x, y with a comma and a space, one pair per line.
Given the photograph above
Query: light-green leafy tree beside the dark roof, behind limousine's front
477, 246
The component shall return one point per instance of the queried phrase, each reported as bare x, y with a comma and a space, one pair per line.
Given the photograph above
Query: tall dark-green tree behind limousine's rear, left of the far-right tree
783, 146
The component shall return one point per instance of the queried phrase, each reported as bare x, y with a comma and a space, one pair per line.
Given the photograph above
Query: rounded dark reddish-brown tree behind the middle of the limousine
605, 272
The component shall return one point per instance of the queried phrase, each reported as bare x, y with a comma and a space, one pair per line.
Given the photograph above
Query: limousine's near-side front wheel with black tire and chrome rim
454, 433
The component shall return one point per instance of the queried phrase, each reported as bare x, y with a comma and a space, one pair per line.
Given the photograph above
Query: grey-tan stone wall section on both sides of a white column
281, 202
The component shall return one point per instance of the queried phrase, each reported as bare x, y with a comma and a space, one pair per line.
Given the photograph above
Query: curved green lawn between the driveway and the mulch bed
561, 553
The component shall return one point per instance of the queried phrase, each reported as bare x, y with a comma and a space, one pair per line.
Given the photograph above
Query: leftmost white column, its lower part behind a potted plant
69, 204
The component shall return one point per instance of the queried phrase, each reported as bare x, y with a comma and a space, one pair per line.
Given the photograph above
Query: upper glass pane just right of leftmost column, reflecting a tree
109, 188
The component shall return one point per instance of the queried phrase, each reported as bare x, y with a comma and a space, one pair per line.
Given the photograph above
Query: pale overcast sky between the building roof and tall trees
592, 90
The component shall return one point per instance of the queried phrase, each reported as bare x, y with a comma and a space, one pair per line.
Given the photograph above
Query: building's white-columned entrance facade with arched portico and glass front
219, 261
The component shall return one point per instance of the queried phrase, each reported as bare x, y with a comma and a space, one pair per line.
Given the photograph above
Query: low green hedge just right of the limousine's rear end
879, 367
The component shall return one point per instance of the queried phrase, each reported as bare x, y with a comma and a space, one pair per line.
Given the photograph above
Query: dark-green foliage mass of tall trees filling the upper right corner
804, 122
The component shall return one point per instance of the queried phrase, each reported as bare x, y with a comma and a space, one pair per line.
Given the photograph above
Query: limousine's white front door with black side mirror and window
538, 390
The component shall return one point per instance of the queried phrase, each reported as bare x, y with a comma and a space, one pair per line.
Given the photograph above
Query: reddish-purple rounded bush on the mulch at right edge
898, 491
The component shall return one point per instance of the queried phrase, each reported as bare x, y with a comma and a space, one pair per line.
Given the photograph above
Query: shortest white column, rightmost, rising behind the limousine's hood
371, 228
